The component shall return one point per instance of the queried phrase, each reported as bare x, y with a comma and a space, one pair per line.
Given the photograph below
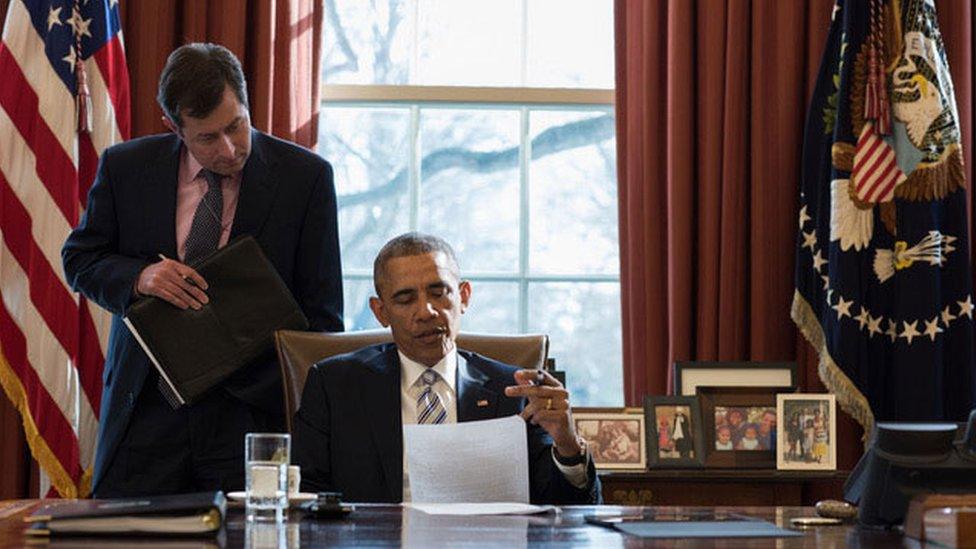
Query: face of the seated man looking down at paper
422, 301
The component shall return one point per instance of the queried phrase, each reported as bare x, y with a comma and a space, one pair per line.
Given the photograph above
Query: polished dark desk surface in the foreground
393, 525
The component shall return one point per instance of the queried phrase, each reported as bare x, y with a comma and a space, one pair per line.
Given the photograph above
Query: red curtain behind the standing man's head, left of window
279, 44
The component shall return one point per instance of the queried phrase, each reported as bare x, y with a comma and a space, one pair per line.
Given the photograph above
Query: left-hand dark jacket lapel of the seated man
380, 397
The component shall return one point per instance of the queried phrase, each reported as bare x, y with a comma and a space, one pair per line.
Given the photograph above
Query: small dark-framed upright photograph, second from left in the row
674, 431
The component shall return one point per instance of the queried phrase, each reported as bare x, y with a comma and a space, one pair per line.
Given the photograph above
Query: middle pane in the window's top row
470, 43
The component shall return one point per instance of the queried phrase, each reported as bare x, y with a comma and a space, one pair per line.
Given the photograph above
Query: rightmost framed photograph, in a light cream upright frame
809, 426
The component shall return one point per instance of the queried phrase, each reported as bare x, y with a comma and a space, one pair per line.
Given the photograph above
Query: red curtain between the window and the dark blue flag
711, 102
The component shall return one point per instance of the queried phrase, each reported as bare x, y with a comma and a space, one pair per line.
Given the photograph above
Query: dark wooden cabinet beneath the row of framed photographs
738, 487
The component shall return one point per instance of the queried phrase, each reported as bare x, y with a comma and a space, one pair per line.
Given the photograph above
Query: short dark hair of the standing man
194, 79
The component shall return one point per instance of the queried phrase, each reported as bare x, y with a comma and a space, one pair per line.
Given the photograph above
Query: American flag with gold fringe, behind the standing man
64, 98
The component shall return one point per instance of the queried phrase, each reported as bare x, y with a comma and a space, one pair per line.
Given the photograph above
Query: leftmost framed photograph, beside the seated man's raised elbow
615, 436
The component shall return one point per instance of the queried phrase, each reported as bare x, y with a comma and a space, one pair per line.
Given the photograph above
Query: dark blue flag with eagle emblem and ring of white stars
883, 280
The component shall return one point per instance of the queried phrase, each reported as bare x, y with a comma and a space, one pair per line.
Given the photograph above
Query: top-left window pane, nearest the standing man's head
367, 42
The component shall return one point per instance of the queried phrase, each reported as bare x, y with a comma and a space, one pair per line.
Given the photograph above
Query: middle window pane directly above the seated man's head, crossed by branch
469, 185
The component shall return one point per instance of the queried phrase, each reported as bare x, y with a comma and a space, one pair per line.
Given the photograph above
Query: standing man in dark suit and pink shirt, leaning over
158, 204
